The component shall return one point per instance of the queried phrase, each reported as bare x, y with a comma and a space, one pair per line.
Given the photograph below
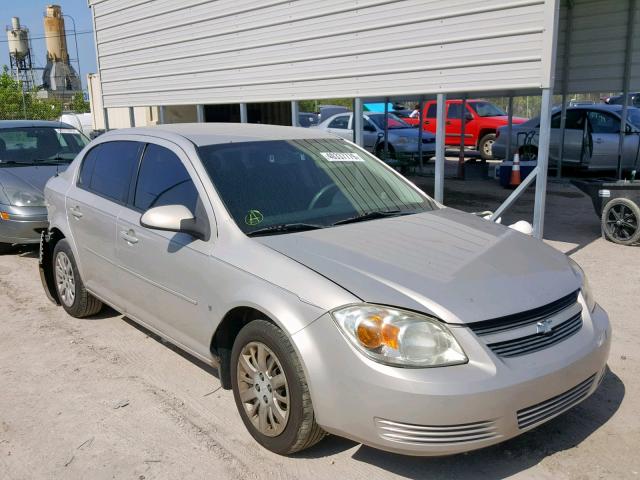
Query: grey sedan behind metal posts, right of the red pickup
592, 136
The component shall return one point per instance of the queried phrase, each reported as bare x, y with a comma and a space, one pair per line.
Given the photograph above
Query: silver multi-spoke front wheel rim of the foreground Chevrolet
263, 389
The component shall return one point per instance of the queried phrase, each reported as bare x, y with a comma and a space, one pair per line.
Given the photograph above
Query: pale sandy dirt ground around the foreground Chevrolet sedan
101, 398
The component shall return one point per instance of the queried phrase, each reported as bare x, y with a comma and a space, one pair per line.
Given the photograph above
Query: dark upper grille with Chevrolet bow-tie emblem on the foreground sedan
533, 330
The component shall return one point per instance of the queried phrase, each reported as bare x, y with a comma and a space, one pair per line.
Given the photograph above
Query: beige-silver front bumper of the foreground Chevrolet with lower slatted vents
441, 411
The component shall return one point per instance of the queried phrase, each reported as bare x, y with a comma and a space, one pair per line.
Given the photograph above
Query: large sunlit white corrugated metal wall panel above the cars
164, 52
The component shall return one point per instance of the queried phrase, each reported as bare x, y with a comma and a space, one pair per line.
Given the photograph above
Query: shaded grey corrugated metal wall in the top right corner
597, 38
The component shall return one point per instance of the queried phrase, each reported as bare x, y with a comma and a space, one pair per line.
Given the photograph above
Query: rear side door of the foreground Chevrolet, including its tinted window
93, 205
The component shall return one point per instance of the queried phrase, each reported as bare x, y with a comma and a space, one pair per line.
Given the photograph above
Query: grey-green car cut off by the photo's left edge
31, 152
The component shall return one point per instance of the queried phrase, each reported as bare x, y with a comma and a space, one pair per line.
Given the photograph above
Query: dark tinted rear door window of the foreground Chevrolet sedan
114, 167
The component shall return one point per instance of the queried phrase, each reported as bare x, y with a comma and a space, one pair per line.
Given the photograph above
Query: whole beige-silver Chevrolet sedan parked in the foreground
331, 293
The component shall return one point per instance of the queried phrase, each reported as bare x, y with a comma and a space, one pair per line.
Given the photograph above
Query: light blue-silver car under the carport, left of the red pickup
403, 139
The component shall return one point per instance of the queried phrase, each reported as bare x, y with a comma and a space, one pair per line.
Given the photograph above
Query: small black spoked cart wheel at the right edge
621, 221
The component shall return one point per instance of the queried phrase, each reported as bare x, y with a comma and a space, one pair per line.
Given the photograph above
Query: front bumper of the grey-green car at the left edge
23, 225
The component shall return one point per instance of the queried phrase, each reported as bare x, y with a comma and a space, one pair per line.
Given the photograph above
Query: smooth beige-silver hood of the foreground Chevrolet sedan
446, 263
